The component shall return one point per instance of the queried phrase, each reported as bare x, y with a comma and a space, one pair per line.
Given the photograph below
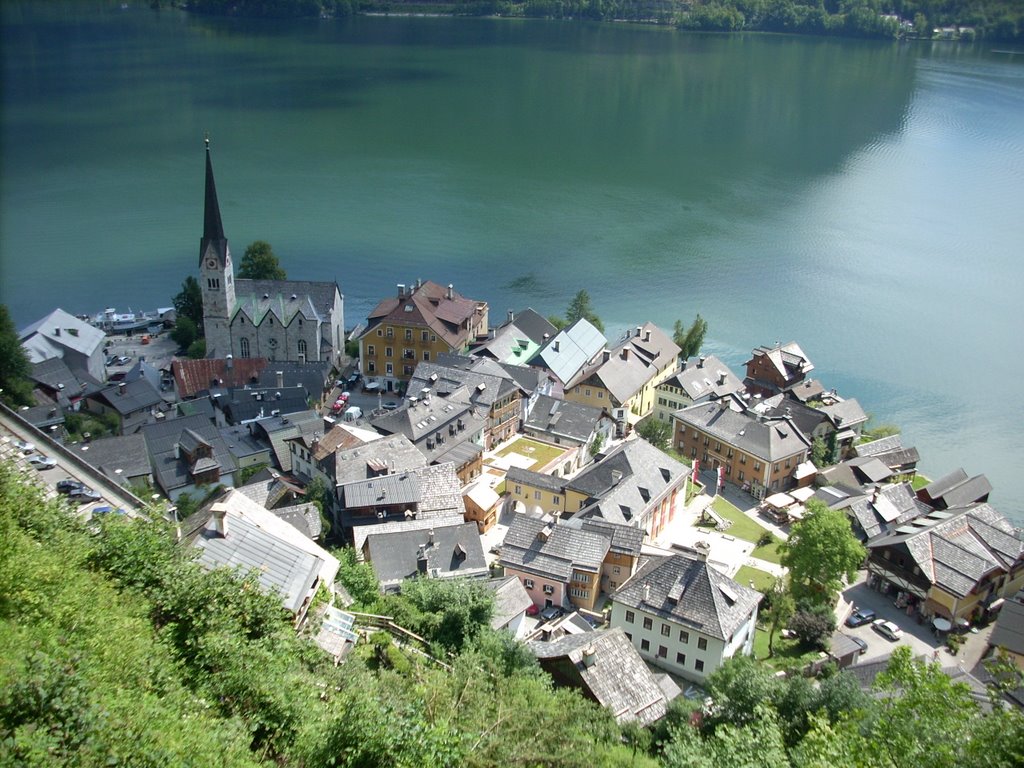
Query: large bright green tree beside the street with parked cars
821, 552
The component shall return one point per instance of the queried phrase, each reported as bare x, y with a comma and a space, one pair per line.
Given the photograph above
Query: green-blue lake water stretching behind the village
864, 199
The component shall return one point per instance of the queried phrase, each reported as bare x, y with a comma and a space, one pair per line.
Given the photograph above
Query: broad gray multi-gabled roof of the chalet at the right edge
958, 547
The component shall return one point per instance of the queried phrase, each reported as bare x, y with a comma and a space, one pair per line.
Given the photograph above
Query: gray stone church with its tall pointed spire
280, 320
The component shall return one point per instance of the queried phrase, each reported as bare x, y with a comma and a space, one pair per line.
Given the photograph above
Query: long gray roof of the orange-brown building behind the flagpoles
770, 441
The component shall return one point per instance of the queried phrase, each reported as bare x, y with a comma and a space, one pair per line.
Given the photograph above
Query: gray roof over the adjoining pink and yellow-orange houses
526, 548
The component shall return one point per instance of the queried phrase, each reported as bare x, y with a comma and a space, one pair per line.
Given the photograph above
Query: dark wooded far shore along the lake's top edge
991, 20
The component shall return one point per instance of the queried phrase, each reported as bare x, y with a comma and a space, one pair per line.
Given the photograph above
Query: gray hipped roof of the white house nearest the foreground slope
710, 602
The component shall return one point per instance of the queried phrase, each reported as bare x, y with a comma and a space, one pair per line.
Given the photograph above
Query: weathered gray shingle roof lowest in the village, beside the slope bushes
610, 671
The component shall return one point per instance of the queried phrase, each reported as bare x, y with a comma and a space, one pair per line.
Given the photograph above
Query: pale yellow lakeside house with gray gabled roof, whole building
626, 375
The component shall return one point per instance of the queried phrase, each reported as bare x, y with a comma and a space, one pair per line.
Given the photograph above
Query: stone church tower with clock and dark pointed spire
217, 273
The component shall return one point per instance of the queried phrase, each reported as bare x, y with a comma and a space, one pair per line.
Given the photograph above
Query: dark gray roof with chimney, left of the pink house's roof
451, 551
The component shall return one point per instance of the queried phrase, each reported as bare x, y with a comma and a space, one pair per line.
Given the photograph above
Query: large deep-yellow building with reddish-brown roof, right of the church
417, 325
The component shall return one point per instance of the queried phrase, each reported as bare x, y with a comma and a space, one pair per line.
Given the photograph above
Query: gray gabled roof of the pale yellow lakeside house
632, 363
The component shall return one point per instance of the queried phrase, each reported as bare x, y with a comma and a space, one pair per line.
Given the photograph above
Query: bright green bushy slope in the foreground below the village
116, 650
